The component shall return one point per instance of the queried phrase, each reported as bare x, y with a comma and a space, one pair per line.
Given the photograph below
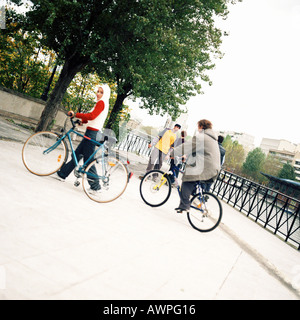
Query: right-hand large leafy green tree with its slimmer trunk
164, 49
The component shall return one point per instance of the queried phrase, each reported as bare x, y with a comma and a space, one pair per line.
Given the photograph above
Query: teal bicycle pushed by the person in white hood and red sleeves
45, 152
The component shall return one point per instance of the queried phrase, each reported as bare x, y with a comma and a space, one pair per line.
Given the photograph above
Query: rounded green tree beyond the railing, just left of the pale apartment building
253, 164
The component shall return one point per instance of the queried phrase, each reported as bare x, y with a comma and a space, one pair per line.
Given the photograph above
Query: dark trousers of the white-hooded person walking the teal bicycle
84, 150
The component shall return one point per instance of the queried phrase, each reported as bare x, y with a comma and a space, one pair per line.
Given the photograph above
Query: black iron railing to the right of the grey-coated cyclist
271, 209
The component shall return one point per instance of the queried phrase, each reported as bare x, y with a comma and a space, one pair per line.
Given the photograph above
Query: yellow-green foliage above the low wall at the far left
22, 59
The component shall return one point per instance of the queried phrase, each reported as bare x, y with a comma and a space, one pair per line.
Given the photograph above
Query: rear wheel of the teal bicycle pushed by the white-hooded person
105, 179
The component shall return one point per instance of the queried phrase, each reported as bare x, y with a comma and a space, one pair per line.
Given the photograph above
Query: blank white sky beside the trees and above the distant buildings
256, 86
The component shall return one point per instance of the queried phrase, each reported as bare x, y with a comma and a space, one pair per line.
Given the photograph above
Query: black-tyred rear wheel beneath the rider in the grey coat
205, 212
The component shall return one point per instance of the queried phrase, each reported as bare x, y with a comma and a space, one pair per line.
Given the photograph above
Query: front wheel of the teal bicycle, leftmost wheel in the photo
43, 154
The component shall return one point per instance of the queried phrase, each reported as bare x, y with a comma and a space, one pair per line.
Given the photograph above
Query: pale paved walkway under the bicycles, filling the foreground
55, 243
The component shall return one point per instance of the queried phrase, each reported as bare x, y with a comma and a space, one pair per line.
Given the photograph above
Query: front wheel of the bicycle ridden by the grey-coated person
155, 188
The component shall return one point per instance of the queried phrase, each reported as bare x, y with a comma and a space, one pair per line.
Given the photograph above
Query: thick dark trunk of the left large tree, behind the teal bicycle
70, 69
